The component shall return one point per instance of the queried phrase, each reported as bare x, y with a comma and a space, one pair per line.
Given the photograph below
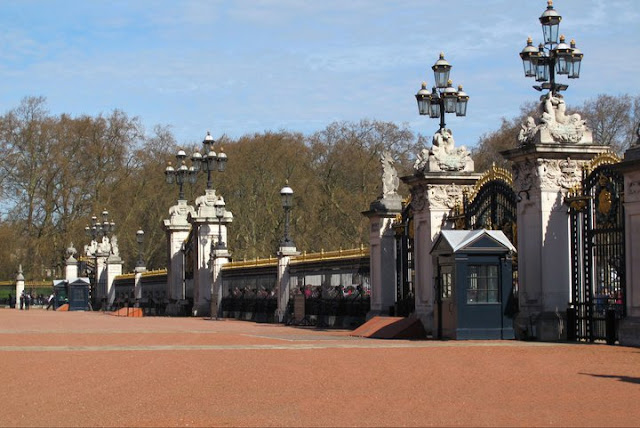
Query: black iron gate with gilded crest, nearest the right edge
597, 253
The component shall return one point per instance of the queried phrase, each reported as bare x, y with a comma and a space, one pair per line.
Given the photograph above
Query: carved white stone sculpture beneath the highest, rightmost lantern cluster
554, 125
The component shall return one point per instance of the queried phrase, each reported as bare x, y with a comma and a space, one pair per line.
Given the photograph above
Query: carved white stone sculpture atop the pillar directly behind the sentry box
443, 155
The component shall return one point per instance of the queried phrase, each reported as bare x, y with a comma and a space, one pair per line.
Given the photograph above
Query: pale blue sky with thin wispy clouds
237, 67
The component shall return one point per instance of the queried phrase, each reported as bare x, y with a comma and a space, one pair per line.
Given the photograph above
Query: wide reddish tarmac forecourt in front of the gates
89, 369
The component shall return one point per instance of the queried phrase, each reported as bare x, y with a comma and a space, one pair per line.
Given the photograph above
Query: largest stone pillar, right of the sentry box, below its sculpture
543, 175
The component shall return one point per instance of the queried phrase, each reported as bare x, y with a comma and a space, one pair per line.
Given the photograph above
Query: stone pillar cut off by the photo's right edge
629, 331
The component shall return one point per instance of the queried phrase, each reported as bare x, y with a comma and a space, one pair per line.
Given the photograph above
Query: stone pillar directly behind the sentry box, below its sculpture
434, 195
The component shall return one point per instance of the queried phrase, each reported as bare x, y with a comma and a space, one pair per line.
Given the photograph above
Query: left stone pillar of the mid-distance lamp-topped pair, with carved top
177, 228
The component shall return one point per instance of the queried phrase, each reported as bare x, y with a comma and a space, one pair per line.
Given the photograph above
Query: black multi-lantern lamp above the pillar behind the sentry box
443, 97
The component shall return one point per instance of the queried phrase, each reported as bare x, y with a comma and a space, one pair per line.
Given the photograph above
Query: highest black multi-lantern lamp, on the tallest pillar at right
551, 58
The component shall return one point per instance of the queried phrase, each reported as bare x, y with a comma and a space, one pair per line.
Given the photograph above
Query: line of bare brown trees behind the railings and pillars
56, 171
